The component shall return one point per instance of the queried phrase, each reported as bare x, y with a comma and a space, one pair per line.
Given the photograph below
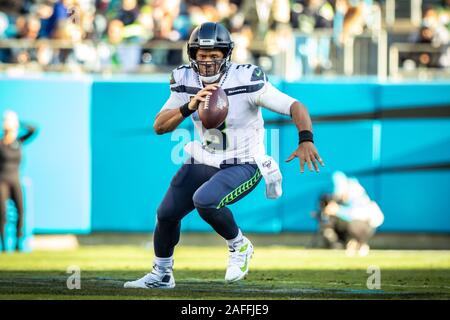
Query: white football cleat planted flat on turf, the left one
158, 278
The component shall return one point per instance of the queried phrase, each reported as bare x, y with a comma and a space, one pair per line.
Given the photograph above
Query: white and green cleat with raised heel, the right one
239, 260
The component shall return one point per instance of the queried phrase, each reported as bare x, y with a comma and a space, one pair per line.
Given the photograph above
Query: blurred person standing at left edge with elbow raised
10, 159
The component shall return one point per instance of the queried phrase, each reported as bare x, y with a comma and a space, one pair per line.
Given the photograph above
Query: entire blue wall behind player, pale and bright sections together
98, 166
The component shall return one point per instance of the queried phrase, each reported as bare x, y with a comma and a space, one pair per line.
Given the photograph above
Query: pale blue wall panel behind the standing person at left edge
58, 159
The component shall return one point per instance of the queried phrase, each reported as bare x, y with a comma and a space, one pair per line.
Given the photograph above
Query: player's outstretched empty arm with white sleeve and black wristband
275, 100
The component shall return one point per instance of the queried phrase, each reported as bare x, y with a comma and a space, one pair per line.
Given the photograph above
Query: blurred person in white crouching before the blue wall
351, 216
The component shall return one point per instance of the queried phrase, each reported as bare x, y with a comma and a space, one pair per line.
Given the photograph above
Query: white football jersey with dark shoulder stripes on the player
241, 136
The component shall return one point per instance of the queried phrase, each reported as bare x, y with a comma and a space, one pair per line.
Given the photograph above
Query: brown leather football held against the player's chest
214, 110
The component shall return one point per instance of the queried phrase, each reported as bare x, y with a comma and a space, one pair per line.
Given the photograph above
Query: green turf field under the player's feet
275, 273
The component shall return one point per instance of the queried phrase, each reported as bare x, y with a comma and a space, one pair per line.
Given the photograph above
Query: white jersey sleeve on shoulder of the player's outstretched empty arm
267, 96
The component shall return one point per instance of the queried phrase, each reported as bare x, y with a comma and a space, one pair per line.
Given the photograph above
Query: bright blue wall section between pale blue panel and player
131, 165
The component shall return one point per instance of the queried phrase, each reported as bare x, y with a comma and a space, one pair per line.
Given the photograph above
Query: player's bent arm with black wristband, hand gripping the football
174, 112
